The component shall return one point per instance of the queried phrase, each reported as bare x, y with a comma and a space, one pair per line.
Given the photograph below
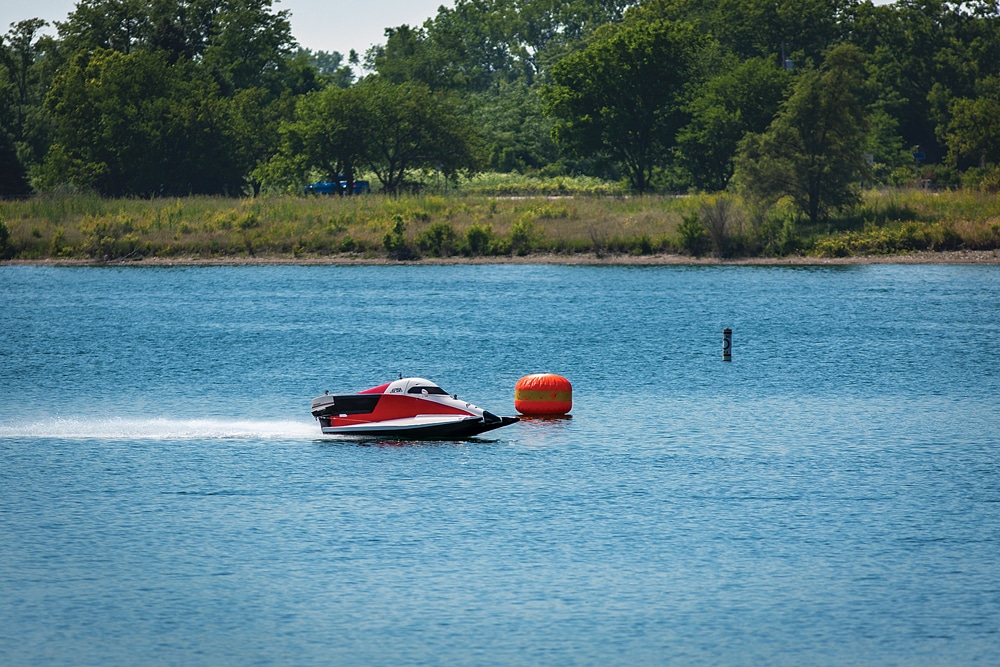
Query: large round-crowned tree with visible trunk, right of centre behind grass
622, 97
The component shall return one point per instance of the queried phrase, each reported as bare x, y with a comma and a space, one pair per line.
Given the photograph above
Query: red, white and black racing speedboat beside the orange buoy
406, 408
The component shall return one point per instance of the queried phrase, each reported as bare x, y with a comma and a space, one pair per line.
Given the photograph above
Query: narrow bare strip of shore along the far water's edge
956, 257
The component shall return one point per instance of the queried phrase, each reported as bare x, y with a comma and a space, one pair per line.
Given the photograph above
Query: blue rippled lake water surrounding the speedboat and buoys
830, 497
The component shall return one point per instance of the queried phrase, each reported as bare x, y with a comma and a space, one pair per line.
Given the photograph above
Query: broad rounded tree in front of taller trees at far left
135, 125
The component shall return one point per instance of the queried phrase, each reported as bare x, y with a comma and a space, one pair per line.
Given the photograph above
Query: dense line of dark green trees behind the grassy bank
798, 98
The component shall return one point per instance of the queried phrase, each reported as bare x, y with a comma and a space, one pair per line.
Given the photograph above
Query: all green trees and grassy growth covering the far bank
777, 117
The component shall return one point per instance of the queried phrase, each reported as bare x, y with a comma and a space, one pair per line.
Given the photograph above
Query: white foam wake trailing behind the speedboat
116, 428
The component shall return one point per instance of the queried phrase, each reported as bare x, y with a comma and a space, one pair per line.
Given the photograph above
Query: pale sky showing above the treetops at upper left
320, 25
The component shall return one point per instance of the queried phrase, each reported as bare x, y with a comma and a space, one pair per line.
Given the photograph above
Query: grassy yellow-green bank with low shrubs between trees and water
89, 228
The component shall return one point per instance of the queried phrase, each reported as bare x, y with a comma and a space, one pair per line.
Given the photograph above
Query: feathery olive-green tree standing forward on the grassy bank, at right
813, 151
